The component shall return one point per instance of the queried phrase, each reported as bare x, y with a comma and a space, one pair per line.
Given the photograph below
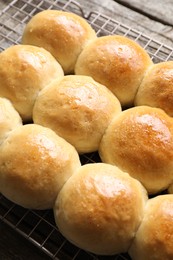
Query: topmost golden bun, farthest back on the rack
63, 34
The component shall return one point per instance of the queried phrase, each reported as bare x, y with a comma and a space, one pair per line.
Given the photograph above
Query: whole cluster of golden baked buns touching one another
65, 92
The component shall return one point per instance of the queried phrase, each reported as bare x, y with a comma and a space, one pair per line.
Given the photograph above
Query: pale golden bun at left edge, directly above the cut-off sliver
24, 71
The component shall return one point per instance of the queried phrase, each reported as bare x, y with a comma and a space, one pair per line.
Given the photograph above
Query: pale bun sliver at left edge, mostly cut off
9, 118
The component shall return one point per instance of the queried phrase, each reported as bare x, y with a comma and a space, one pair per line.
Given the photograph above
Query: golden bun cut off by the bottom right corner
154, 238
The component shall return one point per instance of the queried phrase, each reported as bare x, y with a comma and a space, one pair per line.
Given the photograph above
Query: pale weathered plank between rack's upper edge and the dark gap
154, 29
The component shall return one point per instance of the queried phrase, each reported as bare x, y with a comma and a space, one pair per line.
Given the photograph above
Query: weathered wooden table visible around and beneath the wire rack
154, 18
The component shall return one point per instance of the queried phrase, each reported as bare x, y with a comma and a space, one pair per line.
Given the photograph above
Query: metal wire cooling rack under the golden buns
39, 226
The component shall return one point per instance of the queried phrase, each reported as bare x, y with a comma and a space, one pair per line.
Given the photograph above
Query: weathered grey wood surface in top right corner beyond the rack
146, 16
